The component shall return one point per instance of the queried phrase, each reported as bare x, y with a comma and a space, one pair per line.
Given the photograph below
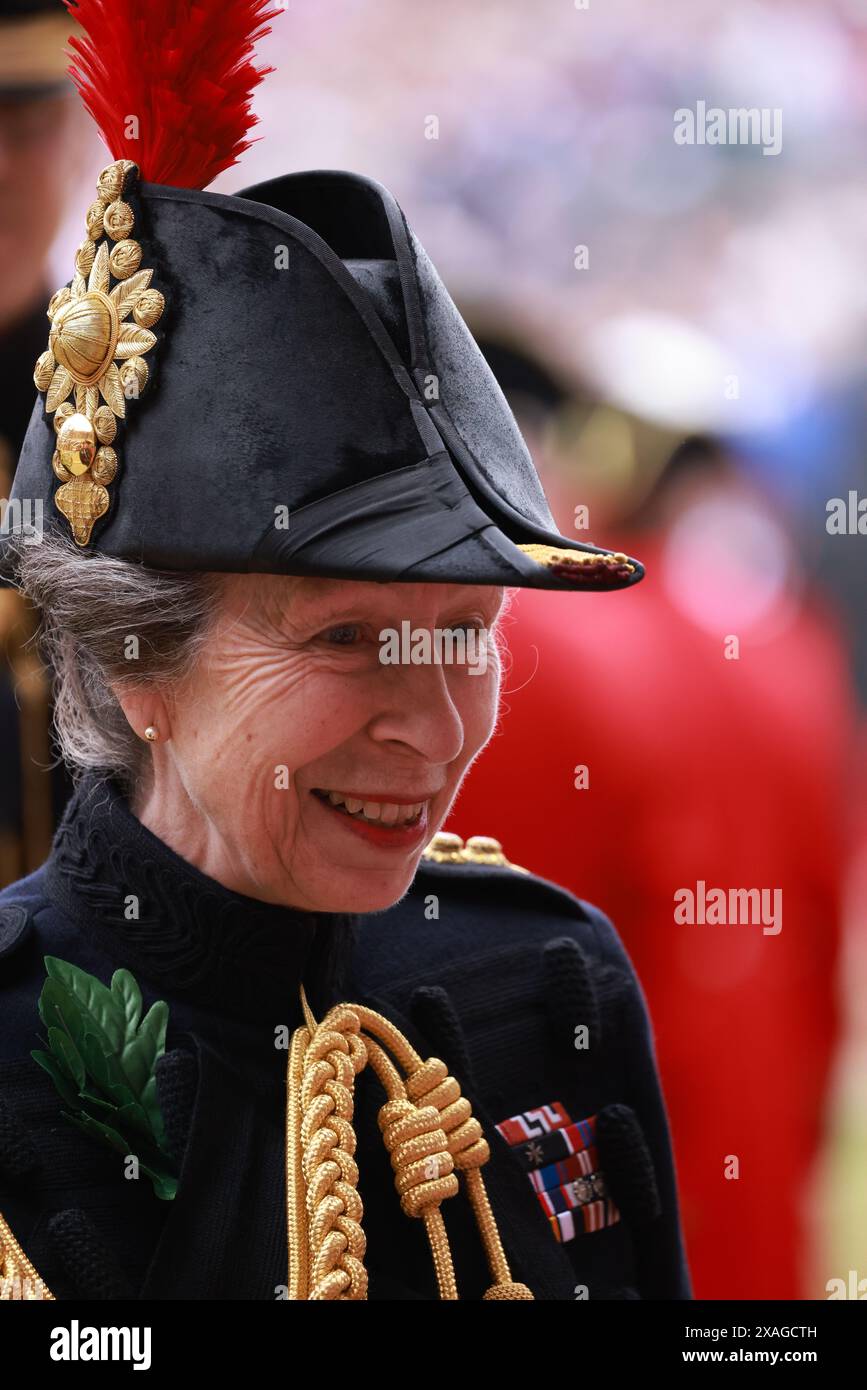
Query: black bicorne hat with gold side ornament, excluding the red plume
280, 383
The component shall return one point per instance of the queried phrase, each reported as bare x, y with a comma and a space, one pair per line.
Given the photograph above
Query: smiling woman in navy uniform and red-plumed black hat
267, 989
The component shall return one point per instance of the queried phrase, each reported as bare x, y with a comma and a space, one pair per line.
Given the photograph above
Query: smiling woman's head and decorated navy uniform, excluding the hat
259, 796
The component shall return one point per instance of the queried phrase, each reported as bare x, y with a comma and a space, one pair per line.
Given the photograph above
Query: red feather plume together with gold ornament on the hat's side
102, 323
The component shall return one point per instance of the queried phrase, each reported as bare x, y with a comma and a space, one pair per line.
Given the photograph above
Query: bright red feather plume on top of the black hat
184, 69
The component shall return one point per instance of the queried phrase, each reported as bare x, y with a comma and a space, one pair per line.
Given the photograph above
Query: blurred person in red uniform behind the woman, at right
665, 755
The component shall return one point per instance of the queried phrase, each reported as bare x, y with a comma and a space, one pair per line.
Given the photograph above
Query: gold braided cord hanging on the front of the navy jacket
429, 1129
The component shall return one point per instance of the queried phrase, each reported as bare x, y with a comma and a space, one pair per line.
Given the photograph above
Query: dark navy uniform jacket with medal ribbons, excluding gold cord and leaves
525, 992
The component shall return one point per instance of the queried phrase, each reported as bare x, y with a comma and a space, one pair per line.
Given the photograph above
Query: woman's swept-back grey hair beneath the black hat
110, 623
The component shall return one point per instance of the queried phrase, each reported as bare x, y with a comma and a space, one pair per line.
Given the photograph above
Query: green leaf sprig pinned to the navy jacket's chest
104, 1061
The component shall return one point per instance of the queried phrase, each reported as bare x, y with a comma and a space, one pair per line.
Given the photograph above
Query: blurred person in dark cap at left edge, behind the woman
38, 123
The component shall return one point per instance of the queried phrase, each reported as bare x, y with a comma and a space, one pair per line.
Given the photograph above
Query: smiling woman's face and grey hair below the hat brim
287, 760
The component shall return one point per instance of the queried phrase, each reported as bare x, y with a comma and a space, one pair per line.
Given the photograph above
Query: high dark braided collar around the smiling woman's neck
188, 935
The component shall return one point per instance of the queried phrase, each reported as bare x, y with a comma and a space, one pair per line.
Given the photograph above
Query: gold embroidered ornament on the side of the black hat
95, 362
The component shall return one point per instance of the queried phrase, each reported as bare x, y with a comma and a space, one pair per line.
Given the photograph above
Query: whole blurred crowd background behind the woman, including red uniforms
682, 332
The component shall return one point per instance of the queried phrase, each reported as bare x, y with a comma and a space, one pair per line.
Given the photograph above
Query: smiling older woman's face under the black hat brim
305, 769
